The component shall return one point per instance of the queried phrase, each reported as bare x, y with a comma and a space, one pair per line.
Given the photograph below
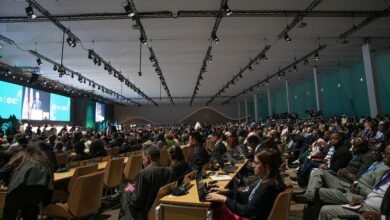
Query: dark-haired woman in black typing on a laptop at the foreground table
255, 203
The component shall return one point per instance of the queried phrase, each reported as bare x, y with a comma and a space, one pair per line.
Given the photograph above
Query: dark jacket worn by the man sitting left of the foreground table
136, 205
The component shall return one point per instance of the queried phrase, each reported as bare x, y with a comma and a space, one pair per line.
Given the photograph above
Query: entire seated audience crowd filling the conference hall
338, 161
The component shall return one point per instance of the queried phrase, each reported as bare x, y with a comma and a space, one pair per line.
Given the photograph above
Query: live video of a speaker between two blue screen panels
36, 104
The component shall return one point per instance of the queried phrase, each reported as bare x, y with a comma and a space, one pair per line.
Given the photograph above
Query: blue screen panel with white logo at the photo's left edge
10, 99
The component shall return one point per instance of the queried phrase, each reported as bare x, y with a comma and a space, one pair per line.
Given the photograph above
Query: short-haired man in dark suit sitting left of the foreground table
139, 197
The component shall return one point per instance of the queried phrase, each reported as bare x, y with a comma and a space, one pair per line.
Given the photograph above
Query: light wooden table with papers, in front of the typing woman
188, 206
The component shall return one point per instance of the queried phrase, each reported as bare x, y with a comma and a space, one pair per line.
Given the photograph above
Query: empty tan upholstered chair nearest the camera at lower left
84, 199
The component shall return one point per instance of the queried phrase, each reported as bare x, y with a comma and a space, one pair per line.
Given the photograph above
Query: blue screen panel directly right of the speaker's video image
59, 108
